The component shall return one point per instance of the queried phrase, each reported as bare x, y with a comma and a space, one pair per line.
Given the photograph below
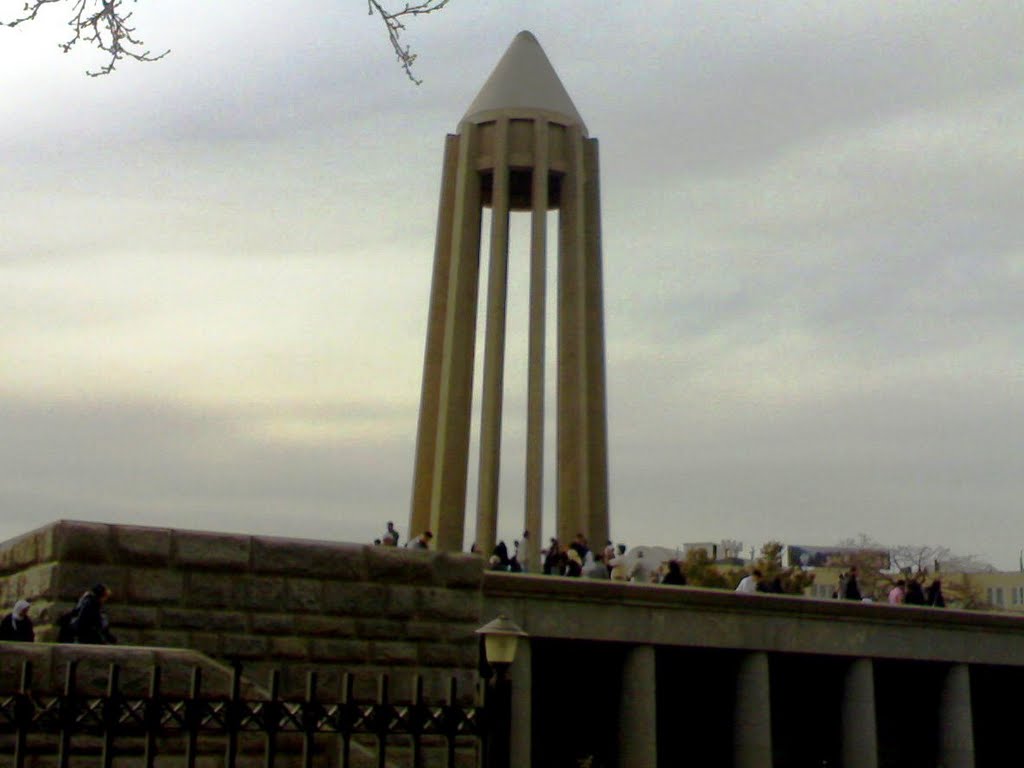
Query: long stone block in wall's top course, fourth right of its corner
309, 559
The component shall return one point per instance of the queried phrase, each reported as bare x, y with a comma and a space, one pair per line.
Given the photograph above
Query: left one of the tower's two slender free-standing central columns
494, 351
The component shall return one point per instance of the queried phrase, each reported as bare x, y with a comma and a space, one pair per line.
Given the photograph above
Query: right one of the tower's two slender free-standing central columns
538, 331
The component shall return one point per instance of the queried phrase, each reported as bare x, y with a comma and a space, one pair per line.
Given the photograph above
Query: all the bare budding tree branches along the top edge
106, 25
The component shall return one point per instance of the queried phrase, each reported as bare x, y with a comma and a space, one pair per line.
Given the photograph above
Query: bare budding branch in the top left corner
100, 23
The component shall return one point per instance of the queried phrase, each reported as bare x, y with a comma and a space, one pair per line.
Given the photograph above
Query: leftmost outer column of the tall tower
426, 434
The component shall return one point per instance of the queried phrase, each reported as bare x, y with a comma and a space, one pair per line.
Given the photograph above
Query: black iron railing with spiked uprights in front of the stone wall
113, 724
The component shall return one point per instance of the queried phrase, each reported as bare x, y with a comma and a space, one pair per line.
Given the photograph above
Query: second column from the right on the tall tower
572, 475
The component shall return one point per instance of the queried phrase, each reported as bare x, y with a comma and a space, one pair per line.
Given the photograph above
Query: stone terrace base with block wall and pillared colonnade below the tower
630, 675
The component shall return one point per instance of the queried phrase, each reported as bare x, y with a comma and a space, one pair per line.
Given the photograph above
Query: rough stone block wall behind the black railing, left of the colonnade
264, 602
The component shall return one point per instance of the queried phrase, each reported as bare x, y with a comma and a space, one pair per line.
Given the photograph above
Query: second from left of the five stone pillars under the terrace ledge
638, 710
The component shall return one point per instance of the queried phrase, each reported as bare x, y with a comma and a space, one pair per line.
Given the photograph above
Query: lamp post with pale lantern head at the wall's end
500, 641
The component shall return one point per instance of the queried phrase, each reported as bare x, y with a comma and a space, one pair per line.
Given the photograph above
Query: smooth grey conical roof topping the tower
525, 79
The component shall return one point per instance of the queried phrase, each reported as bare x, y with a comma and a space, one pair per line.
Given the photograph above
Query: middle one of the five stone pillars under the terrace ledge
752, 722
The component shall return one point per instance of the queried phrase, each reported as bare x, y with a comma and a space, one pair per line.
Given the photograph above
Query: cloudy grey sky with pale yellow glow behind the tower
215, 270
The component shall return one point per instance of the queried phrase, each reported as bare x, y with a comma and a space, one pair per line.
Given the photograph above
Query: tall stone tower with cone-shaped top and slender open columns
522, 146
